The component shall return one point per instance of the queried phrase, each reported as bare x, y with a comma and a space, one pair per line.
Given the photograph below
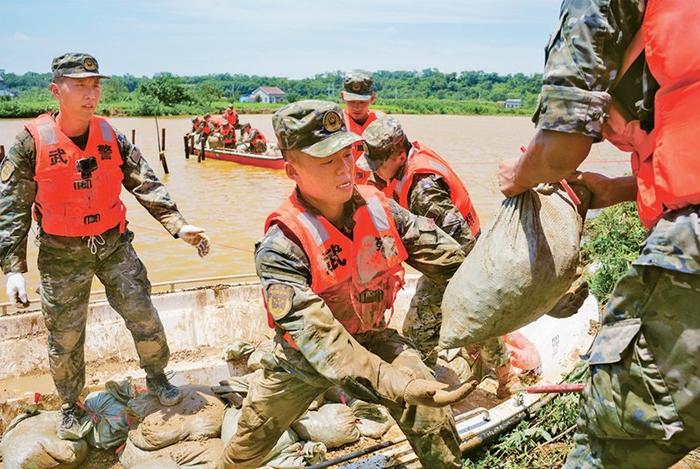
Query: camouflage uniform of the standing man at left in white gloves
67, 265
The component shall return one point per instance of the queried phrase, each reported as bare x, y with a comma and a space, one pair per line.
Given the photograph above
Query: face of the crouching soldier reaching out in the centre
324, 180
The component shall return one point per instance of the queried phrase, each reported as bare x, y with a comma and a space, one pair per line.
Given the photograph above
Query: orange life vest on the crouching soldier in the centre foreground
358, 278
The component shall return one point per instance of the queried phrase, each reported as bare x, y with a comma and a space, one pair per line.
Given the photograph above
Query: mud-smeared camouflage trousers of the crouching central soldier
283, 395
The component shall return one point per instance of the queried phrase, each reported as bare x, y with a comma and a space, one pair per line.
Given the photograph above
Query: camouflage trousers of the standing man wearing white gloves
67, 267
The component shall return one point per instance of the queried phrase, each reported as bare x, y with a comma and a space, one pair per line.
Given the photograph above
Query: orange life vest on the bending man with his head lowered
423, 160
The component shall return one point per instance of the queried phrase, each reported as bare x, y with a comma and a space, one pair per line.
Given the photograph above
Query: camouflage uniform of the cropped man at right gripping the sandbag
642, 405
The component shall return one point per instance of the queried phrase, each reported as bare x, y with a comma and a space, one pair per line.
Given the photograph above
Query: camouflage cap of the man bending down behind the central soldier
383, 137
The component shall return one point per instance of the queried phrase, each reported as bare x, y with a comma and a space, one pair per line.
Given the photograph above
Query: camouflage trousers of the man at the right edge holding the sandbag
641, 408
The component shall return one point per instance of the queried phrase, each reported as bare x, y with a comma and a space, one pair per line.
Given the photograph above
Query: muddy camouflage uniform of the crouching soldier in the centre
375, 366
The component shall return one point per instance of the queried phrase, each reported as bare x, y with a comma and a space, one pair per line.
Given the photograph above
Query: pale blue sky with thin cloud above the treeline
290, 38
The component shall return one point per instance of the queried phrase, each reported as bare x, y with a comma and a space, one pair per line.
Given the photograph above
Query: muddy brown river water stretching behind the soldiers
231, 201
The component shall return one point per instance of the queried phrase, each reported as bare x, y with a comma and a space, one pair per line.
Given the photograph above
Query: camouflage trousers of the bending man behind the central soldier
422, 327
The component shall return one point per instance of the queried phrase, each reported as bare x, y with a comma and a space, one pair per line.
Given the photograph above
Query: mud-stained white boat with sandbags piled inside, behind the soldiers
202, 316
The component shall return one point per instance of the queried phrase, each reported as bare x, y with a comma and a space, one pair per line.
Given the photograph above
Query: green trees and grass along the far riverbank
426, 92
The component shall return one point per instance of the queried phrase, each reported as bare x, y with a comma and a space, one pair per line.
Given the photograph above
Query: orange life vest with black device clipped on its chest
69, 203
